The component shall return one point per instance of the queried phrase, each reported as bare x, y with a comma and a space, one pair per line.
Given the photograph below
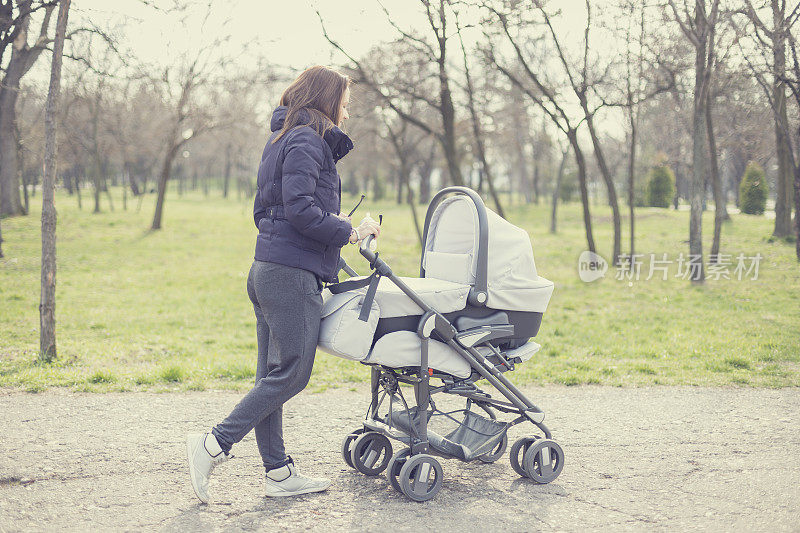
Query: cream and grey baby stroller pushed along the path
467, 318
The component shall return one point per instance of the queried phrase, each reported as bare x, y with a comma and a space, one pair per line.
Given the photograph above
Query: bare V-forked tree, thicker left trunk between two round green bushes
698, 27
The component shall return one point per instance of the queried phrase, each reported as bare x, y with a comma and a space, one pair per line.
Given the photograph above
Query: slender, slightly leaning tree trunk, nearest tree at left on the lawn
47, 305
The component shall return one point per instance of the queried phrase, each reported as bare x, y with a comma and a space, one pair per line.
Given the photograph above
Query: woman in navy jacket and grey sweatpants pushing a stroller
300, 237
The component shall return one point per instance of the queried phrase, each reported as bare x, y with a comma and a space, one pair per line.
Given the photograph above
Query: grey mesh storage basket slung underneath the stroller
474, 435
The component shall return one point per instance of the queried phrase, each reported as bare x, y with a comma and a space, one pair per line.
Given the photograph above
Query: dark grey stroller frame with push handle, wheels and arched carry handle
539, 459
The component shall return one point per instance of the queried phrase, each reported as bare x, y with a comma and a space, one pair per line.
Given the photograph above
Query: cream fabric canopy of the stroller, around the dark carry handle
450, 253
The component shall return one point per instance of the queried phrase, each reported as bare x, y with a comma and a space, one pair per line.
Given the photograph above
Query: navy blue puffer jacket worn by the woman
299, 192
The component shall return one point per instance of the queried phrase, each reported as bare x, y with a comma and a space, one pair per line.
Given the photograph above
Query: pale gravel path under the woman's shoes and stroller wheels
636, 459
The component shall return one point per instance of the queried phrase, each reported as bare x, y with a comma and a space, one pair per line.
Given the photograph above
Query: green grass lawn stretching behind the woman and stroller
168, 310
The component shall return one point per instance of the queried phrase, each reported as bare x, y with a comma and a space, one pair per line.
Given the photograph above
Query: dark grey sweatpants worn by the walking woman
288, 307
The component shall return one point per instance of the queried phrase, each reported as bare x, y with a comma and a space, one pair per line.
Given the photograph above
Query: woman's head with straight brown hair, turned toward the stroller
319, 90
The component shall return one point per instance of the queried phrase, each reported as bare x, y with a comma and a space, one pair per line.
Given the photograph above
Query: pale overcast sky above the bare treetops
285, 32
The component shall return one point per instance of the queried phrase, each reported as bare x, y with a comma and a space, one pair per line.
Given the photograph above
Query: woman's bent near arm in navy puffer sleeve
301, 167
